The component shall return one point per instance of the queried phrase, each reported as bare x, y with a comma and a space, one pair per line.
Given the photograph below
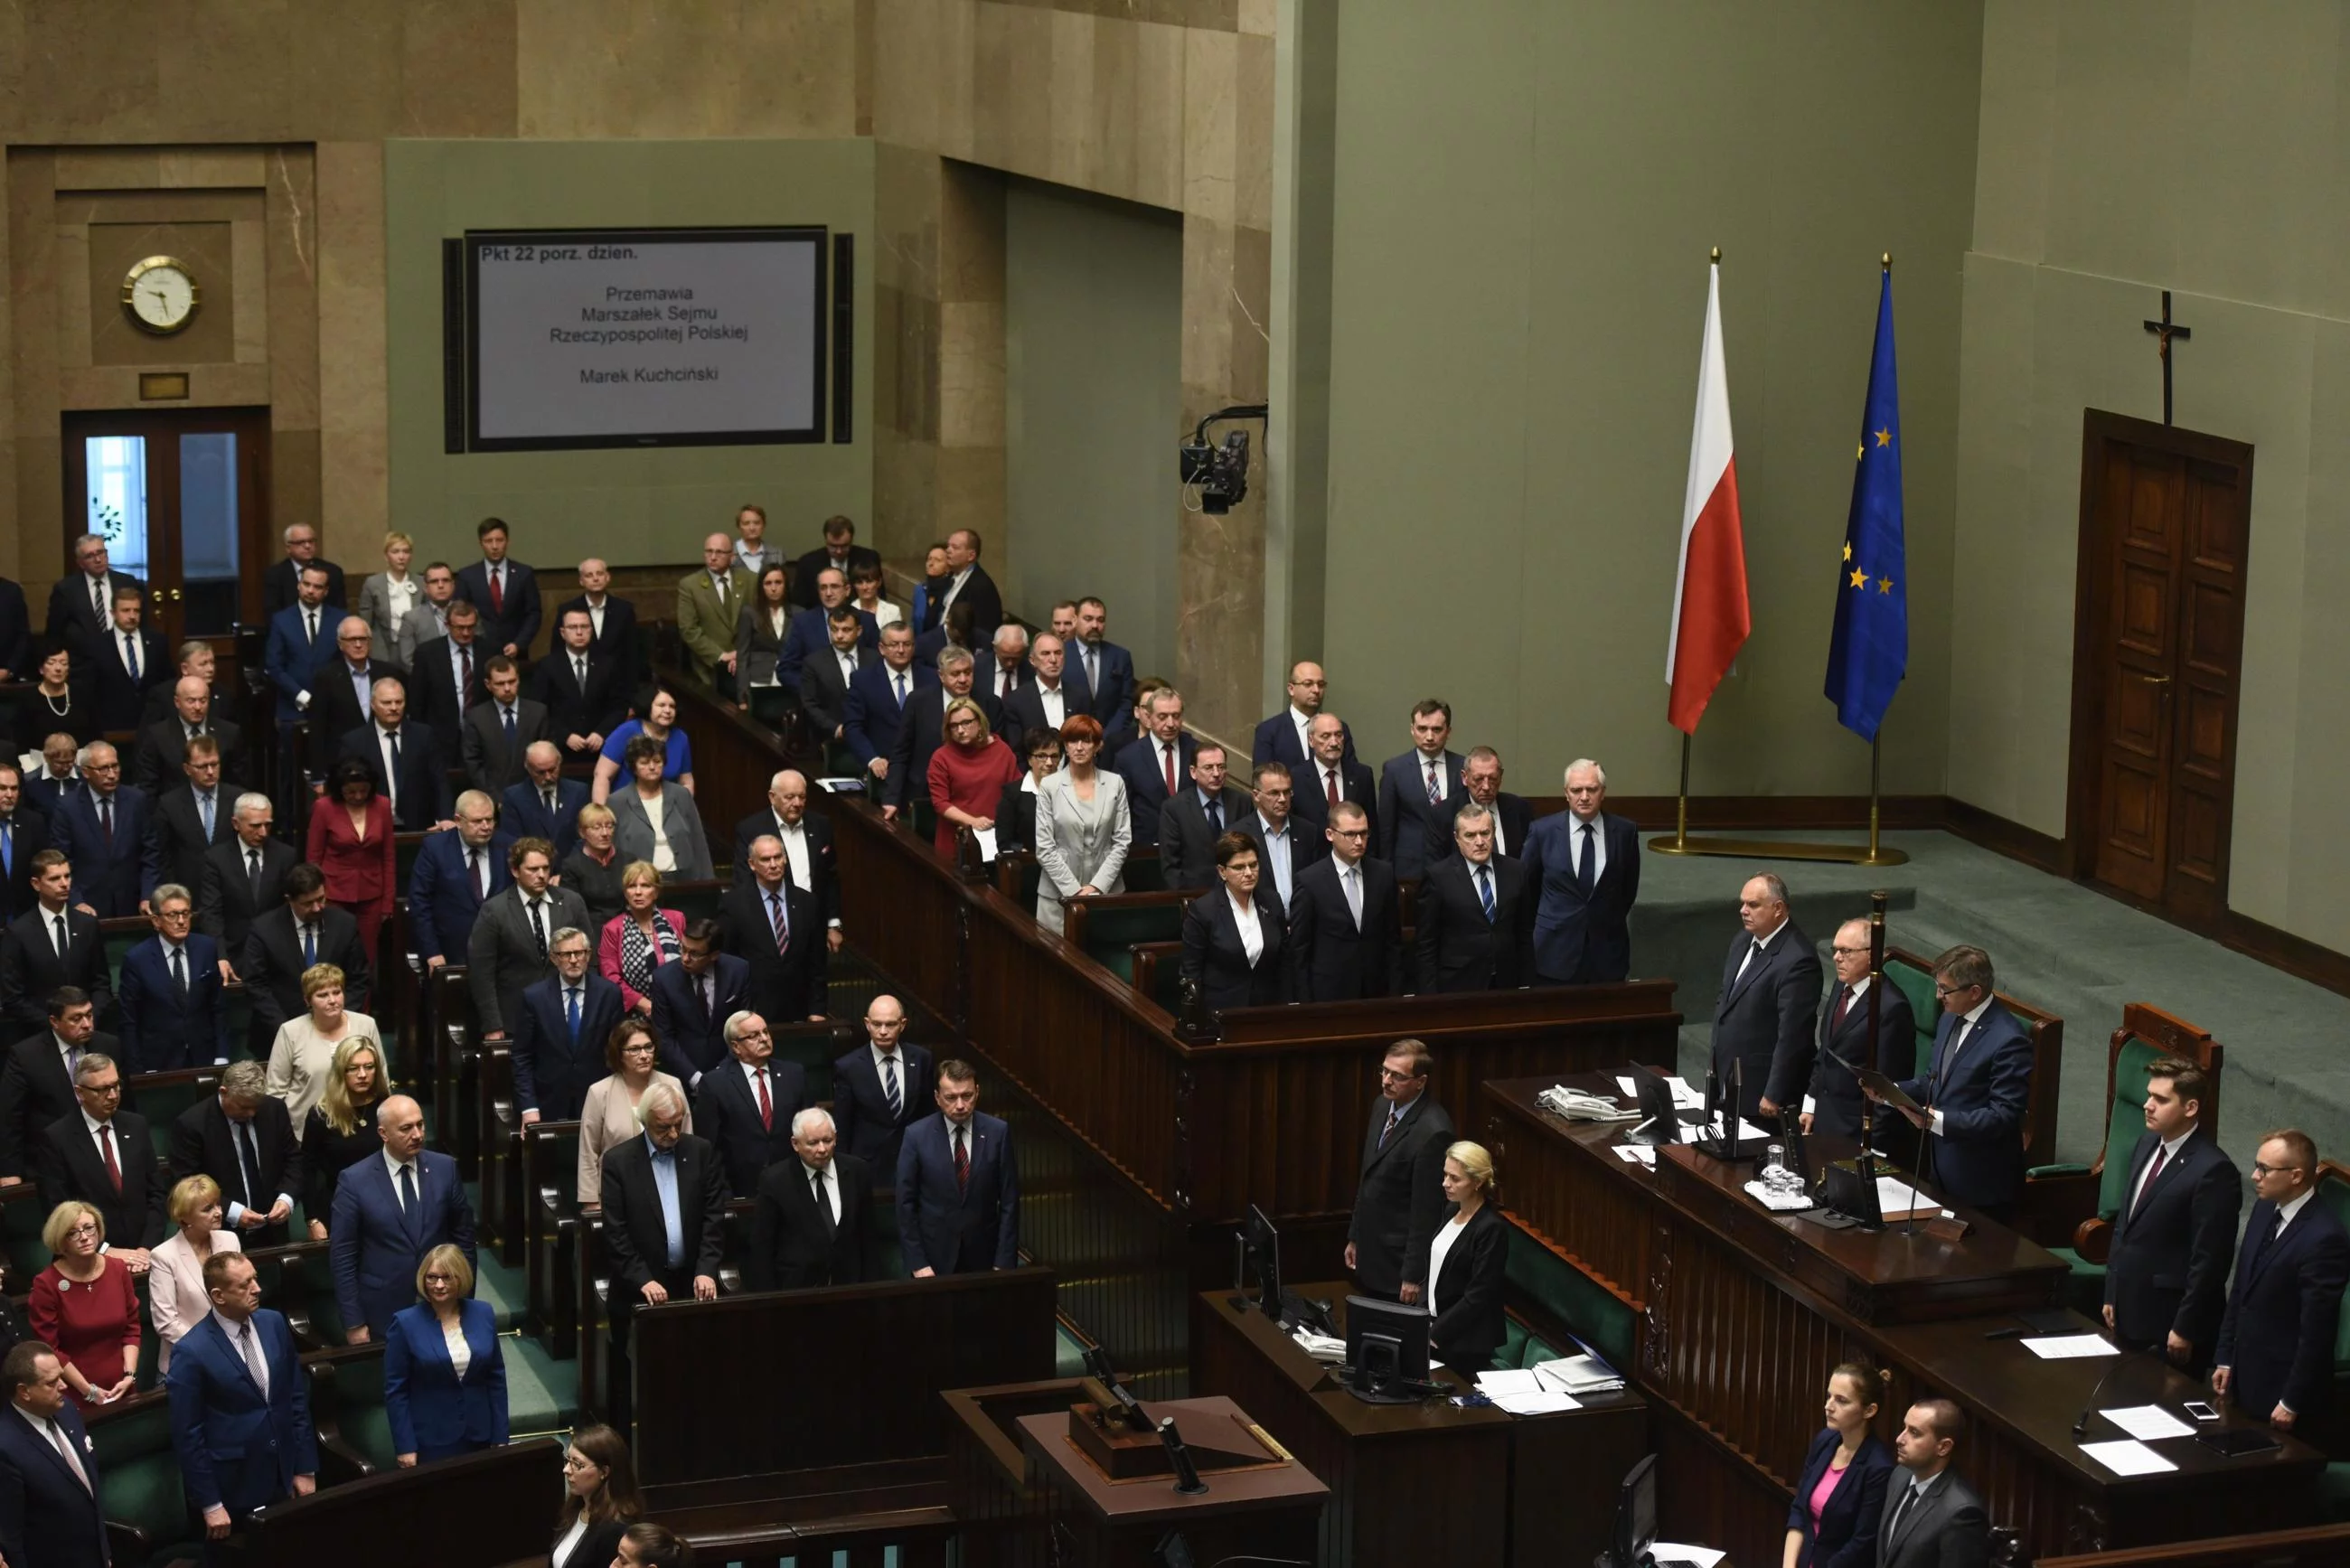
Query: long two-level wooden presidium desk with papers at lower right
1745, 1315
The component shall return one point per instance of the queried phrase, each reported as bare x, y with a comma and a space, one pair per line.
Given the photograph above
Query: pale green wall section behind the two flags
1526, 196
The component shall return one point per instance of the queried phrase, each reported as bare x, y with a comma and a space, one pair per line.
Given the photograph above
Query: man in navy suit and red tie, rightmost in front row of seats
958, 1188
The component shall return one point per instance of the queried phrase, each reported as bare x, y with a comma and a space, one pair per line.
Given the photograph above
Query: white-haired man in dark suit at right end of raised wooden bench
1587, 876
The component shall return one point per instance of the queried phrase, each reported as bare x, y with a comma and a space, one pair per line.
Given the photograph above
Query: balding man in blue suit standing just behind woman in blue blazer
389, 1212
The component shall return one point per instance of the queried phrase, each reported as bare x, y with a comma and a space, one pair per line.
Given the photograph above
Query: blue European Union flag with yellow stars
1869, 652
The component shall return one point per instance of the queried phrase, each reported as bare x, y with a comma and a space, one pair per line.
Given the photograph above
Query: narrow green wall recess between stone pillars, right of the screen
1092, 410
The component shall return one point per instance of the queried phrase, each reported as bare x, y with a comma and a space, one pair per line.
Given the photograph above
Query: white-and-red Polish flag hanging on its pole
1710, 594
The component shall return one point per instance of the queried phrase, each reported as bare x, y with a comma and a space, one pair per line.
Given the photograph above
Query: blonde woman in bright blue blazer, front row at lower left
443, 1367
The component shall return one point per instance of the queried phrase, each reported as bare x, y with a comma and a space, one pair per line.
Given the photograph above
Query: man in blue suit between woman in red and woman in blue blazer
241, 1412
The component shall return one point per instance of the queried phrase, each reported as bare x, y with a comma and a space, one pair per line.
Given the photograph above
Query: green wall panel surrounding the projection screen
626, 507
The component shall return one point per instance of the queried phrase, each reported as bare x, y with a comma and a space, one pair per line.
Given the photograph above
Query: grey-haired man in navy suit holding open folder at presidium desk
1975, 1090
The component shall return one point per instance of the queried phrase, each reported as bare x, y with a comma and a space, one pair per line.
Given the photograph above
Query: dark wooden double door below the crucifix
2156, 664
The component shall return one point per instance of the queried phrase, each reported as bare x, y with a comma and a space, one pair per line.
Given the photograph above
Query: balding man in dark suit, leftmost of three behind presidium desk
1764, 1017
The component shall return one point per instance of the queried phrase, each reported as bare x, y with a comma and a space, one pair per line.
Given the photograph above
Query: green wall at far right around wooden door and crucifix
2133, 149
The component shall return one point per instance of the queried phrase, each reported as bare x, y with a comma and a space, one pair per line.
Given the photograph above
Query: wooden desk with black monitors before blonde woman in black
1430, 1482
